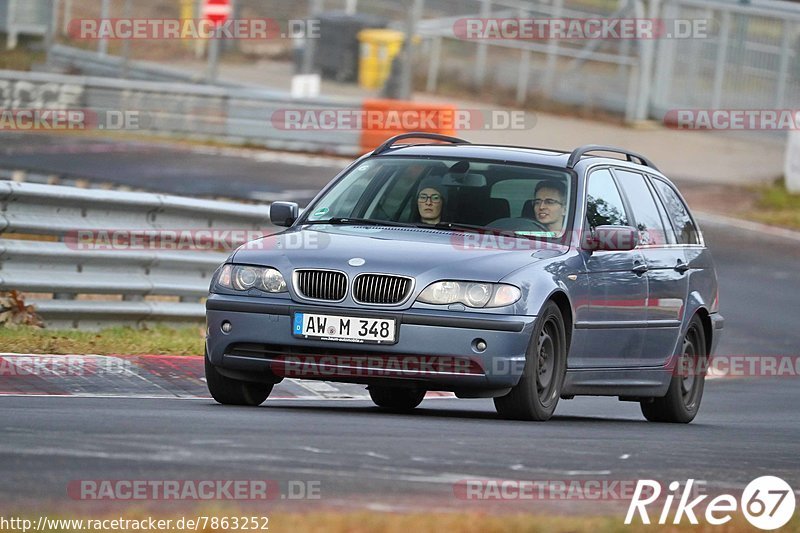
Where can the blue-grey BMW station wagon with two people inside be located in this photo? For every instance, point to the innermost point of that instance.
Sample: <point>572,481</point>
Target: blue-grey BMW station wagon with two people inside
<point>525,275</point>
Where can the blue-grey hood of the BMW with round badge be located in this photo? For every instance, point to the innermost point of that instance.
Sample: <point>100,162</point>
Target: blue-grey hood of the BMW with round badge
<point>405,251</point>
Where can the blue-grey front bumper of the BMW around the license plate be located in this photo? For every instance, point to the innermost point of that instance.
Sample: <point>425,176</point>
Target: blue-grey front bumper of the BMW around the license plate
<point>435,349</point>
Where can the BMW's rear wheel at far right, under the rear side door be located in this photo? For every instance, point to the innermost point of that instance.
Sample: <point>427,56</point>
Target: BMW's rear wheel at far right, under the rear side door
<point>685,392</point>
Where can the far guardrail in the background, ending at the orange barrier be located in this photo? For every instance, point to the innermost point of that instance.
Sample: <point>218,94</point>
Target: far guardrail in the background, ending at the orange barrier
<point>235,115</point>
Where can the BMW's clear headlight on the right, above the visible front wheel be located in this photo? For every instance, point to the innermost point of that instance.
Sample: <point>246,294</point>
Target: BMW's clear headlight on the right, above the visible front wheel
<point>471,294</point>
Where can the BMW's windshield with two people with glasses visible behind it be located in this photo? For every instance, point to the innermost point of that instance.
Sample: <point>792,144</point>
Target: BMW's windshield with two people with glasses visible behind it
<point>450,193</point>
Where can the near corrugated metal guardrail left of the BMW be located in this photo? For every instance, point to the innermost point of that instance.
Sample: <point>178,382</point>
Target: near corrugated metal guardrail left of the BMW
<point>42,251</point>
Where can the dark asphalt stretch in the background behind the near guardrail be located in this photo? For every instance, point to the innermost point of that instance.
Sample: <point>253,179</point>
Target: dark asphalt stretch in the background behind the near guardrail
<point>182,169</point>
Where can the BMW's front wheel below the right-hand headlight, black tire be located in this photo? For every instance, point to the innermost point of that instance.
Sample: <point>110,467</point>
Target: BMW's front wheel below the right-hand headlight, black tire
<point>536,395</point>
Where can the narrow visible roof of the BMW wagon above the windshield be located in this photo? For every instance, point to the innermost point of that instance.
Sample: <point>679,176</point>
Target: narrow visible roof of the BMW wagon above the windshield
<point>510,154</point>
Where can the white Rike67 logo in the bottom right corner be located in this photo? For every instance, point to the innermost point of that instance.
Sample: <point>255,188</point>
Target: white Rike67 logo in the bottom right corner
<point>767,503</point>
